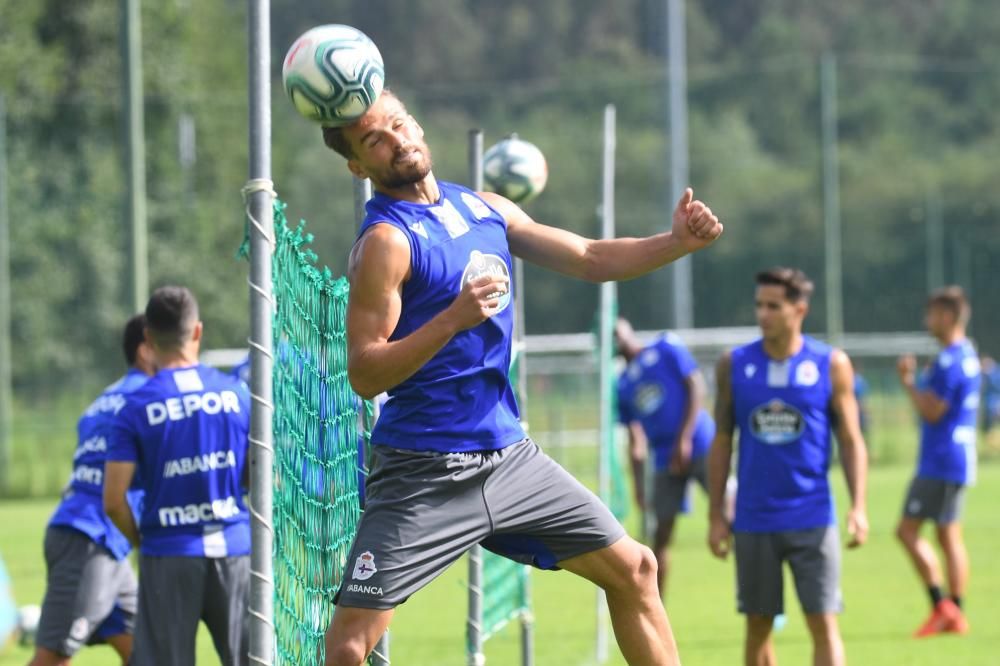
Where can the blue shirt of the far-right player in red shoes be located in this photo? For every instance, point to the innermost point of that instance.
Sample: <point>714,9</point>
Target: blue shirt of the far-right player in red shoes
<point>948,447</point>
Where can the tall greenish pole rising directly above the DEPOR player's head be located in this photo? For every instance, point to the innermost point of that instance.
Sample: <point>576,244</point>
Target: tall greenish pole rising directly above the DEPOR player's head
<point>135,151</point>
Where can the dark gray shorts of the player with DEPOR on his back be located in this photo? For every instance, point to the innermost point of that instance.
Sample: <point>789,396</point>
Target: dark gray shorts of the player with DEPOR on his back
<point>176,594</point>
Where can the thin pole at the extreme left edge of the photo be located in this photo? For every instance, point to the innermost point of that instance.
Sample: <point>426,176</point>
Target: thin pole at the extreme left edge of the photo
<point>6,384</point>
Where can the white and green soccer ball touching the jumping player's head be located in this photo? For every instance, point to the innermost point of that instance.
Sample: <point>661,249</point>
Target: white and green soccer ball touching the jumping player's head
<point>332,74</point>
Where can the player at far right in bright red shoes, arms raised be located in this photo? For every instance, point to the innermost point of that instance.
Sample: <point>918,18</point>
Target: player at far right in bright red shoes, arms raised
<point>946,396</point>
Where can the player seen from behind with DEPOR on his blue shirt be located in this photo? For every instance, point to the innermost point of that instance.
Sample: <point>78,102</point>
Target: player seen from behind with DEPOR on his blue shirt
<point>183,435</point>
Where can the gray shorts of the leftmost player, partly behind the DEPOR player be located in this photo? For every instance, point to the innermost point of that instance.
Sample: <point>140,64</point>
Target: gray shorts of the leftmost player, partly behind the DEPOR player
<point>89,595</point>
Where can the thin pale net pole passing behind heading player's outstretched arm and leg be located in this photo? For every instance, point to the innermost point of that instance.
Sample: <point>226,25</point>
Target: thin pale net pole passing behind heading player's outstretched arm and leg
<point>606,331</point>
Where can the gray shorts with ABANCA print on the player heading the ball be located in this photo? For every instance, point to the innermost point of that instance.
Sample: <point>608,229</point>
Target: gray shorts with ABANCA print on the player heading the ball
<point>425,509</point>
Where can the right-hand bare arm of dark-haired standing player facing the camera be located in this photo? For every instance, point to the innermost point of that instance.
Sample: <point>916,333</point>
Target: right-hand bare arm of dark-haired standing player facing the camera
<point>853,452</point>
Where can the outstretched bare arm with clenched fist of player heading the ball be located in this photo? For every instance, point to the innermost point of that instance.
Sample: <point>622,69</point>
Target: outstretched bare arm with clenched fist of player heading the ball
<point>694,227</point>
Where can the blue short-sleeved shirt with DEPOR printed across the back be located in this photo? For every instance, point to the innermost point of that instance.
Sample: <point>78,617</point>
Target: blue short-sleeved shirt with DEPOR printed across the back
<point>186,430</point>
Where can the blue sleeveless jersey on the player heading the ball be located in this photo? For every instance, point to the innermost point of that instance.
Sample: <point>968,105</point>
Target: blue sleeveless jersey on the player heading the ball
<point>460,400</point>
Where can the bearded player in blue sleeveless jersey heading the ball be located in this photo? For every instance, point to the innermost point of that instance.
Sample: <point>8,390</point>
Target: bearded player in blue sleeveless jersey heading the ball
<point>430,321</point>
